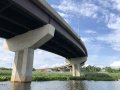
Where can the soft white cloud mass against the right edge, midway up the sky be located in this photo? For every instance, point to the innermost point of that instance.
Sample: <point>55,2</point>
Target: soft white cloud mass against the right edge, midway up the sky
<point>113,38</point>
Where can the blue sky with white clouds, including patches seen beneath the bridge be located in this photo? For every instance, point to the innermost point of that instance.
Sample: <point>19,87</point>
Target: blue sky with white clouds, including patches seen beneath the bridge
<point>97,22</point>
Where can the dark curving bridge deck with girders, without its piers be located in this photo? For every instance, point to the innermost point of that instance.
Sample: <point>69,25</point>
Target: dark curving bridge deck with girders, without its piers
<point>20,16</point>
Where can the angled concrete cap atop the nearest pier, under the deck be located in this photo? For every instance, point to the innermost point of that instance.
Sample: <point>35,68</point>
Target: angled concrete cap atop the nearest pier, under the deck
<point>31,39</point>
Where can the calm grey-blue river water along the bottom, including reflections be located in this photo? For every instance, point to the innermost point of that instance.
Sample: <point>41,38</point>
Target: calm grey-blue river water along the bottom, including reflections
<point>62,85</point>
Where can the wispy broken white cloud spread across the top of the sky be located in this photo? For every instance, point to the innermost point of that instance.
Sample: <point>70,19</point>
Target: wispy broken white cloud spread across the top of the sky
<point>100,11</point>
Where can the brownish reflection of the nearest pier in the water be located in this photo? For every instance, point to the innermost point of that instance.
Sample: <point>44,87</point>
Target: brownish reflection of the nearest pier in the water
<point>20,86</point>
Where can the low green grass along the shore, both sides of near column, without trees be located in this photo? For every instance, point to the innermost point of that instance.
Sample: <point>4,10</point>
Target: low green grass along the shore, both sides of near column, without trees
<point>45,76</point>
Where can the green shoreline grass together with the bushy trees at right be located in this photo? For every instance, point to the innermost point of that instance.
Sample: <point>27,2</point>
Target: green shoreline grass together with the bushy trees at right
<point>88,73</point>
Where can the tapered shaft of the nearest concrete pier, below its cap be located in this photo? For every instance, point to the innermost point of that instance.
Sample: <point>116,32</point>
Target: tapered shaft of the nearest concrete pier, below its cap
<point>22,66</point>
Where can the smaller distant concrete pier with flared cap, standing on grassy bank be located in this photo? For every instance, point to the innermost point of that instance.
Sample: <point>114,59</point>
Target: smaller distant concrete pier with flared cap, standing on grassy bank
<point>76,64</point>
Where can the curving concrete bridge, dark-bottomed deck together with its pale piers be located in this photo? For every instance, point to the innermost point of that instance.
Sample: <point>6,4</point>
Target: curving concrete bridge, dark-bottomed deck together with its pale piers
<point>30,24</point>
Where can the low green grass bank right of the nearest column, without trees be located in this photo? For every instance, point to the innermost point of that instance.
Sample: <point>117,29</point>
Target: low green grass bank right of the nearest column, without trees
<point>67,76</point>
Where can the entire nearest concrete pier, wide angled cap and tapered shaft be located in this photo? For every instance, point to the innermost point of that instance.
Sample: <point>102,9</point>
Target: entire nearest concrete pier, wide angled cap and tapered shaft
<point>23,45</point>
